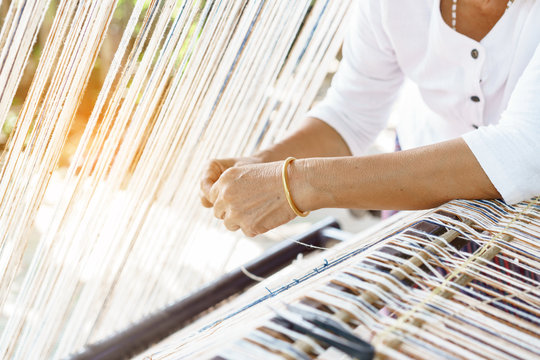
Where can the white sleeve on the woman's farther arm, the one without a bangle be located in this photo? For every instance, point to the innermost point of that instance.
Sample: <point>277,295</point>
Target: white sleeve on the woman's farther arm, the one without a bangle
<point>358,103</point>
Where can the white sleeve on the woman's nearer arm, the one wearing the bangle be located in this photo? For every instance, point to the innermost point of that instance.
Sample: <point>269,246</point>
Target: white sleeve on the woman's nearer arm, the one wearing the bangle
<point>509,152</point>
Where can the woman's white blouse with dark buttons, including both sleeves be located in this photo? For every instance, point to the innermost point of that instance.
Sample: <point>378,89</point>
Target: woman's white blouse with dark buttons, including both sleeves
<point>488,92</point>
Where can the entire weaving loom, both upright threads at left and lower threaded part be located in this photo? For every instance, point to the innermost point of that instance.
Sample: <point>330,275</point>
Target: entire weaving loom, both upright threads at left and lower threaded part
<point>191,80</point>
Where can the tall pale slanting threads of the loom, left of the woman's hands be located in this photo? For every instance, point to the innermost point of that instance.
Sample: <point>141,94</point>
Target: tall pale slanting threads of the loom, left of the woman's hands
<point>121,230</point>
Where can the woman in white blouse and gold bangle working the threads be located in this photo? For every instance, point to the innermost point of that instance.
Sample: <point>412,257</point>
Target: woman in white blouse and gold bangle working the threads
<point>473,135</point>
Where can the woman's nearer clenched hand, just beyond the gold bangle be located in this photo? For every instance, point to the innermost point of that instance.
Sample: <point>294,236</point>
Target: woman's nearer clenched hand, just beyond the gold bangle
<point>251,198</point>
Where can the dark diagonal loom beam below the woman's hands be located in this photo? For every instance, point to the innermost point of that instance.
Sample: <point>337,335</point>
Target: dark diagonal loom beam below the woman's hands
<point>171,319</point>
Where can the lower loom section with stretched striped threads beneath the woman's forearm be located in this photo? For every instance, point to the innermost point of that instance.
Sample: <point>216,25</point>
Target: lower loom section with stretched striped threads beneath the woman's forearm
<point>414,288</point>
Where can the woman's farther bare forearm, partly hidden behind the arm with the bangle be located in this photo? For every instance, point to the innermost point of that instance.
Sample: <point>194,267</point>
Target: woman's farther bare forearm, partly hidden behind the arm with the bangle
<point>314,138</point>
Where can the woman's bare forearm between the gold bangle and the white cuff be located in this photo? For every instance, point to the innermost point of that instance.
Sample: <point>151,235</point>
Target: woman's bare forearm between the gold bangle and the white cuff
<point>416,179</point>
